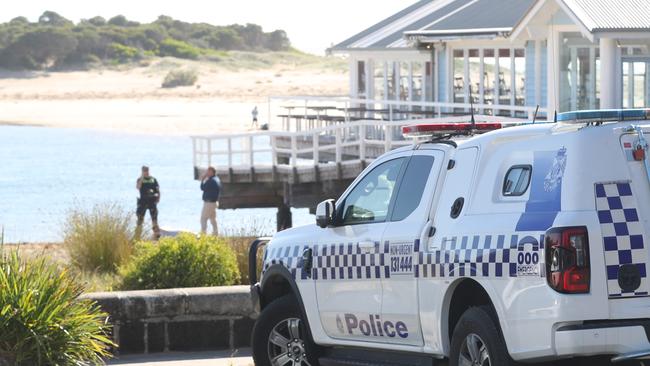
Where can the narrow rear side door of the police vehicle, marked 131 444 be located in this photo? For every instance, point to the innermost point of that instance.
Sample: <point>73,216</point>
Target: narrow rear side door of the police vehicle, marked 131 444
<point>408,226</point>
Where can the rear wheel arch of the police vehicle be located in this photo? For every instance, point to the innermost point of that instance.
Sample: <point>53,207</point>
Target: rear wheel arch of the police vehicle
<point>460,296</point>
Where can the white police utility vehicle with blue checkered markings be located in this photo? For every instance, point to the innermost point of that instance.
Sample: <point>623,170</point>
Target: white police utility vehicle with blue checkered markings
<point>525,243</point>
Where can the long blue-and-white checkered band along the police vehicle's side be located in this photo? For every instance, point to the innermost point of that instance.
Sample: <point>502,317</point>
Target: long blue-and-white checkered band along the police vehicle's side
<point>460,256</point>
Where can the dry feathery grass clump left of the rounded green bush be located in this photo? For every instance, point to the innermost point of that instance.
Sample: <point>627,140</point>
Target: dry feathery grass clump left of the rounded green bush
<point>100,238</point>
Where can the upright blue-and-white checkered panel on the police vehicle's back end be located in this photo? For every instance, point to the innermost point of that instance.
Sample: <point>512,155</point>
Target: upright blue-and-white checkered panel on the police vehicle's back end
<point>622,232</point>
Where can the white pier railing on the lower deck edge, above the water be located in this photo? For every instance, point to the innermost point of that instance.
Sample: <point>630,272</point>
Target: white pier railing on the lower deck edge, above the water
<point>331,144</point>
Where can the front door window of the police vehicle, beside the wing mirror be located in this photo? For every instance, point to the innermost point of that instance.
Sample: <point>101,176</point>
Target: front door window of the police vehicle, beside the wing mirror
<point>369,200</point>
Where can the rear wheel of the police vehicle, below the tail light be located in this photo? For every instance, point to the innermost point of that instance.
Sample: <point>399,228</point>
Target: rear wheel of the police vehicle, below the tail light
<point>477,341</point>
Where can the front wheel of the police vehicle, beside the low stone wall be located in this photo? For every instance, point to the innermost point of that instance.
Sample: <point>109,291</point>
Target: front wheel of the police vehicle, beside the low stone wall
<point>280,336</point>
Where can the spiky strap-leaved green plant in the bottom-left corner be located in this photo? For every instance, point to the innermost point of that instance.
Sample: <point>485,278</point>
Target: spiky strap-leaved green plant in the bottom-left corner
<point>42,320</point>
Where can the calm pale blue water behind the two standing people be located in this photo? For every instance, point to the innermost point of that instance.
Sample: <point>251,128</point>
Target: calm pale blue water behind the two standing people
<point>46,171</point>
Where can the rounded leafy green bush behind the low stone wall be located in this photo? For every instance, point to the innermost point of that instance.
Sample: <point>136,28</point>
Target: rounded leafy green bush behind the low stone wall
<point>182,261</point>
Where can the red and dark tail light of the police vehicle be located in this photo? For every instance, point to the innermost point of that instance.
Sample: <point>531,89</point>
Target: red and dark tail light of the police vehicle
<point>567,259</point>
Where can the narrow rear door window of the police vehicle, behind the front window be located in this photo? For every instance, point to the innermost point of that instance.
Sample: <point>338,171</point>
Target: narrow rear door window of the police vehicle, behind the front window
<point>412,186</point>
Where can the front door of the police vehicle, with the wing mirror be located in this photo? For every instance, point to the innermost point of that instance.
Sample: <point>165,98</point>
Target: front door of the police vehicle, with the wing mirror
<point>349,262</point>
